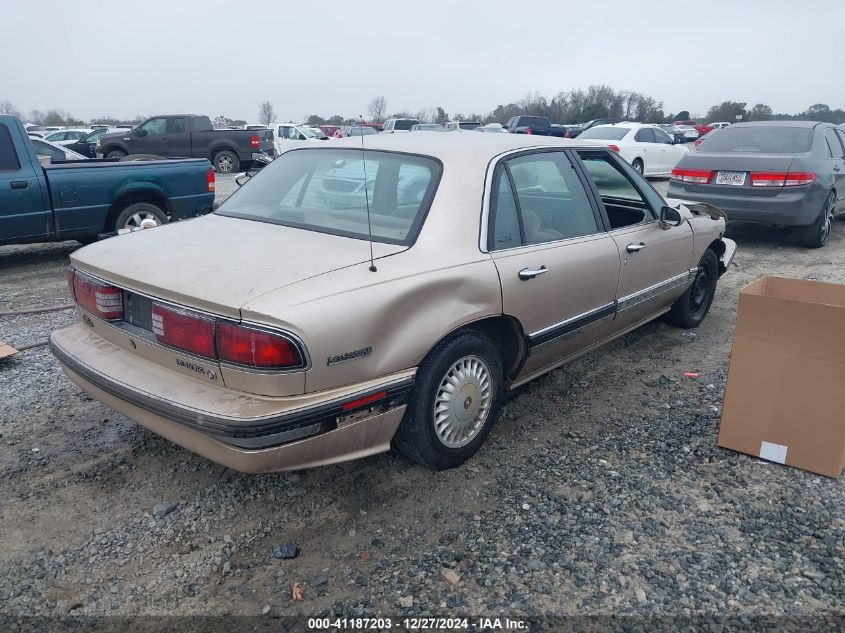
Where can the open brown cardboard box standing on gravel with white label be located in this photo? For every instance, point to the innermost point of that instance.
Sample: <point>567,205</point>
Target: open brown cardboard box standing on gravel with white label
<point>785,397</point>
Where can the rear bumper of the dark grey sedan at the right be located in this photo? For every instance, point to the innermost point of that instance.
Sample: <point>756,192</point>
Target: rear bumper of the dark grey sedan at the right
<point>799,207</point>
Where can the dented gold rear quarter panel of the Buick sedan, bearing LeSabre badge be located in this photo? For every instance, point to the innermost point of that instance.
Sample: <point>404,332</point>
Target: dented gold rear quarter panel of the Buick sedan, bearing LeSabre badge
<point>400,312</point>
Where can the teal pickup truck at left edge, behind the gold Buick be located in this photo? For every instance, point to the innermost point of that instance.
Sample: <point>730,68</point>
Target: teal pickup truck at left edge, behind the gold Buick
<point>84,199</point>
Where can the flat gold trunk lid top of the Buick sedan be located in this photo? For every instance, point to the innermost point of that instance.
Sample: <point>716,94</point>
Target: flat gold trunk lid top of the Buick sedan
<point>217,264</point>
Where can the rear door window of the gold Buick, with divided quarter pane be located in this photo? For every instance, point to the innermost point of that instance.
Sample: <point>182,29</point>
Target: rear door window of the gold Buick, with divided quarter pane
<point>549,204</point>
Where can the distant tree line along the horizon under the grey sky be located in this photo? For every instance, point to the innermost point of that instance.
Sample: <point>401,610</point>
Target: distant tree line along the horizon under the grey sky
<point>575,106</point>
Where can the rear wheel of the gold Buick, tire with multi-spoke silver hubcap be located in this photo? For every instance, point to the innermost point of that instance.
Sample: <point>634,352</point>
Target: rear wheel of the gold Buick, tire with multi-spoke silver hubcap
<point>470,363</point>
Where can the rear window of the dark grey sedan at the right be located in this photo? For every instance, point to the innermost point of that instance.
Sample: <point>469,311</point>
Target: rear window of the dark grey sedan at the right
<point>766,140</point>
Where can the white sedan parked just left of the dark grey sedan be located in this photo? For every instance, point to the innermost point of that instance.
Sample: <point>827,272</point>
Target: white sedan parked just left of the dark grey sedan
<point>650,150</point>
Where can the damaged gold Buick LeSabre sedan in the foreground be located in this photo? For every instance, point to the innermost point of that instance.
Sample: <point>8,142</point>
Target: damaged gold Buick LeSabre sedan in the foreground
<point>354,296</point>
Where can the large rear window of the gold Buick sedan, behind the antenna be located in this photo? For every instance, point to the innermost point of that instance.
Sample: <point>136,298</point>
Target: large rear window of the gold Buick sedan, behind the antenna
<point>337,191</point>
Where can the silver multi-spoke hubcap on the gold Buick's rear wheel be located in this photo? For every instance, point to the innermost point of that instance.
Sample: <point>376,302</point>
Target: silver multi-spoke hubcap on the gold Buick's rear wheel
<point>462,403</point>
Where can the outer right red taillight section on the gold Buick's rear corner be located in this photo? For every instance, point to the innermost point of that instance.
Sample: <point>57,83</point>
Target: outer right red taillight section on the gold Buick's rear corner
<point>255,348</point>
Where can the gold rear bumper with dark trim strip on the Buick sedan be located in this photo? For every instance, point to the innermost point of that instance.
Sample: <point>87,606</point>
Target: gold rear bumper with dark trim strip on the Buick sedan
<point>297,432</point>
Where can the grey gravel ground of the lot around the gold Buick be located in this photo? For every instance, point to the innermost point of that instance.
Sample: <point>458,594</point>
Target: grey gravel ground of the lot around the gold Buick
<point>601,491</point>
